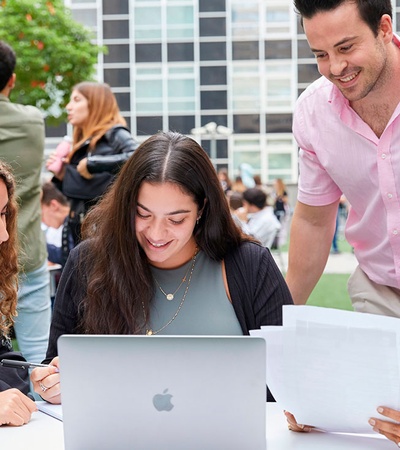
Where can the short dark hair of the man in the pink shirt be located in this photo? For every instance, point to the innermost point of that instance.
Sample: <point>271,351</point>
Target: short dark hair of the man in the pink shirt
<point>371,11</point>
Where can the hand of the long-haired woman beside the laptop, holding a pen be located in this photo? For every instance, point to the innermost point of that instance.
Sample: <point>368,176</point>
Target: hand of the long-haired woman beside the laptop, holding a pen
<point>46,382</point>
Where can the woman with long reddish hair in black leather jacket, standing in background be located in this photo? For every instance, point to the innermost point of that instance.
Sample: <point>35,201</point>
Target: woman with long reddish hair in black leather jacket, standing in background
<point>101,145</point>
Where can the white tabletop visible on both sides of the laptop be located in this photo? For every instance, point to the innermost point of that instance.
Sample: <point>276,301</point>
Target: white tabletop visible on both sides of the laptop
<point>46,433</point>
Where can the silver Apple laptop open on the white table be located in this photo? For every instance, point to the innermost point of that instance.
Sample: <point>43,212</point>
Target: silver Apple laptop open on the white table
<point>163,392</point>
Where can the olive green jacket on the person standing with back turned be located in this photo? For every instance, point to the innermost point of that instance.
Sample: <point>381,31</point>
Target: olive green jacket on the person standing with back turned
<point>22,147</point>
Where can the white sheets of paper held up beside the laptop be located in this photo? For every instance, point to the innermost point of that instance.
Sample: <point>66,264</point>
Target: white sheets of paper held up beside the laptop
<point>329,373</point>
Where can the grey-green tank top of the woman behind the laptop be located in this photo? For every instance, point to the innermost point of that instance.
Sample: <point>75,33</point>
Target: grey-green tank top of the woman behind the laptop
<point>206,309</point>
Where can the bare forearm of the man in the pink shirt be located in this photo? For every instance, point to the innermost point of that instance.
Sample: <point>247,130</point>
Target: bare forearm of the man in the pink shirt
<point>311,236</point>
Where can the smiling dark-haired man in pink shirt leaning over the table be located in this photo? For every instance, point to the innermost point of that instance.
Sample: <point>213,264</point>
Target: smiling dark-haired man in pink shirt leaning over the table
<point>347,125</point>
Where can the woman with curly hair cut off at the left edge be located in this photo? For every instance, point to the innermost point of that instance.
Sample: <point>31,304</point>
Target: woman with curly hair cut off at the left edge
<point>15,405</point>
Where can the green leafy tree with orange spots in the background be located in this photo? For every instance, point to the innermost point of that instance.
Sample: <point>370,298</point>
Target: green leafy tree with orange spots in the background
<point>54,52</point>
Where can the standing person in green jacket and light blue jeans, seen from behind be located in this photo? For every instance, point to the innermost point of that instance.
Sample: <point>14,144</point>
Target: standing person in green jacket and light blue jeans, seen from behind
<point>22,147</point>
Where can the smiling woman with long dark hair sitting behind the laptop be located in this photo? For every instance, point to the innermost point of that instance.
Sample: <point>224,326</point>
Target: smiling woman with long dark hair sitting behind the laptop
<point>163,243</point>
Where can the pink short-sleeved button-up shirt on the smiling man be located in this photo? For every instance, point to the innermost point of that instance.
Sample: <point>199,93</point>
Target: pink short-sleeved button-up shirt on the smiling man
<point>339,153</point>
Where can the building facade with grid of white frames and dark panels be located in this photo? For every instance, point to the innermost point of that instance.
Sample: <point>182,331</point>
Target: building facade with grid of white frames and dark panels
<point>182,64</point>
